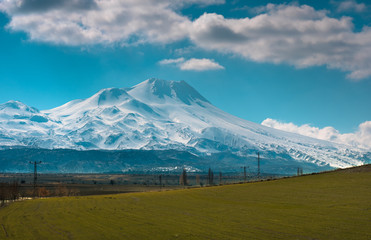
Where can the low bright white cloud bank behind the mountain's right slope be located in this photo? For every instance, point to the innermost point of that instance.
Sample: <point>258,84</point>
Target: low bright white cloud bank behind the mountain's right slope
<point>361,138</point>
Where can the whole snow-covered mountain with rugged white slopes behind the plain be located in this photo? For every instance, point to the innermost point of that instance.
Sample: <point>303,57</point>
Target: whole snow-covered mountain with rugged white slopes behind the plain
<point>162,115</point>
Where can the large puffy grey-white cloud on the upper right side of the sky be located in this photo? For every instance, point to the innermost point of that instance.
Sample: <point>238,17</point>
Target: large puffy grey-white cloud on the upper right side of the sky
<point>297,35</point>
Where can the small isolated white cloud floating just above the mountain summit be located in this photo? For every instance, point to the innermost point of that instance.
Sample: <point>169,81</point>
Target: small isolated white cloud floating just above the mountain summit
<point>193,64</point>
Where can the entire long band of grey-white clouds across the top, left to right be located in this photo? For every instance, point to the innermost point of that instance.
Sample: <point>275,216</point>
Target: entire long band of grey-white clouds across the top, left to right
<point>298,35</point>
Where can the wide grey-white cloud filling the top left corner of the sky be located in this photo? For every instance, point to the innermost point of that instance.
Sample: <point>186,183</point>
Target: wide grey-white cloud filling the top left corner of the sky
<point>79,22</point>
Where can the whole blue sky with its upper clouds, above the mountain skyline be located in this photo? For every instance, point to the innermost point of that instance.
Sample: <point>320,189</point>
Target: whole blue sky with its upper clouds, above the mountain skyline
<point>305,62</point>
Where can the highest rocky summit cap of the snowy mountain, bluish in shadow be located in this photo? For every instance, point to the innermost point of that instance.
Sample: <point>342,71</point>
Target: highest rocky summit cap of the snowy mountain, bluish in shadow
<point>159,89</point>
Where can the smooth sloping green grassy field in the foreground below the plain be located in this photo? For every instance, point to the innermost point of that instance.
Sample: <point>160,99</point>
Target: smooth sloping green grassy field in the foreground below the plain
<point>334,205</point>
